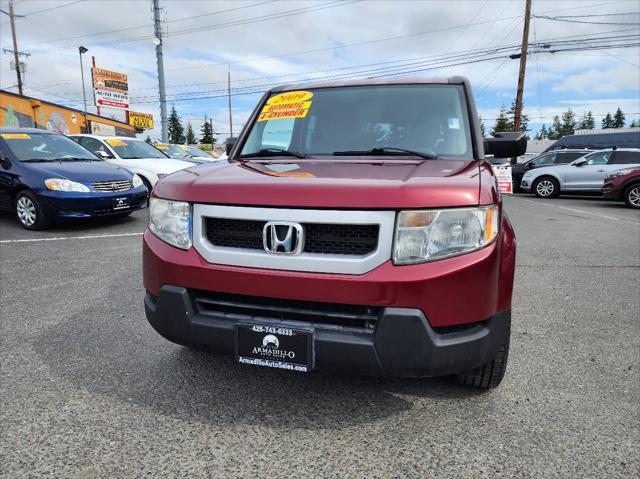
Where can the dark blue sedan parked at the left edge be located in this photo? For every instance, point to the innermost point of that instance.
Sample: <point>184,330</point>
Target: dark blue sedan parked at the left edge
<point>46,177</point>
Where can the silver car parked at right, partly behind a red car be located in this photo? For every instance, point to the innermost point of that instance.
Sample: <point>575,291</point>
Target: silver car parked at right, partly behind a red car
<point>586,174</point>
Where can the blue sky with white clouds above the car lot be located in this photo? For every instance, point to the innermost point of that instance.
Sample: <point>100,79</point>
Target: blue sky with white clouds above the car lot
<point>272,42</point>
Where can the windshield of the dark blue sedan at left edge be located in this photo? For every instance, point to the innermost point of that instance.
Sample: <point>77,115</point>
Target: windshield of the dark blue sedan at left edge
<point>46,147</point>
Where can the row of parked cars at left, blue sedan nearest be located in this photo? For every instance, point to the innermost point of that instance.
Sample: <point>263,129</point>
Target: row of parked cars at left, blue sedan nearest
<point>47,177</point>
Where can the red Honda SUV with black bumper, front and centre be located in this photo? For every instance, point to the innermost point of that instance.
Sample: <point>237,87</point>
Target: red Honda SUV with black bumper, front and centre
<point>354,228</point>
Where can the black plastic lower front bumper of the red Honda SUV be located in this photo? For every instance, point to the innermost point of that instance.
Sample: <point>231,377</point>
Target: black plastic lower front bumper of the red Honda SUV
<point>402,343</point>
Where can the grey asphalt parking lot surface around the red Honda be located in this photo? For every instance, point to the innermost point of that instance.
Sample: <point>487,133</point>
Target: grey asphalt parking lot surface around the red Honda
<point>90,390</point>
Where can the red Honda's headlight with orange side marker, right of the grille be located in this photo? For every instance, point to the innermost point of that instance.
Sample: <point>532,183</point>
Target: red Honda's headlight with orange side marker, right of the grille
<point>428,235</point>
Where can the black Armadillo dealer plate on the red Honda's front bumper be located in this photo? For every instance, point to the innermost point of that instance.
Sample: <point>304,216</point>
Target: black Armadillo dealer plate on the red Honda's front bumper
<point>274,347</point>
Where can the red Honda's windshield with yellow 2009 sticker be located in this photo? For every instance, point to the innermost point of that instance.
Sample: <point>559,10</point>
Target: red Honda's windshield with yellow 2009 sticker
<point>430,119</point>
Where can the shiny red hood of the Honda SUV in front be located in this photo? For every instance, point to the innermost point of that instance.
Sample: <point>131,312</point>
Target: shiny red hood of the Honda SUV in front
<point>335,183</point>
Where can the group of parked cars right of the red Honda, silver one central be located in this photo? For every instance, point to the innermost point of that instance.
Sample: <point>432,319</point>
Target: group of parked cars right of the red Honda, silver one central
<point>615,173</point>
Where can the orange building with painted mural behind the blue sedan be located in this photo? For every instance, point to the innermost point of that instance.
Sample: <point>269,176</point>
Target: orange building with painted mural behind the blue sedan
<point>23,111</point>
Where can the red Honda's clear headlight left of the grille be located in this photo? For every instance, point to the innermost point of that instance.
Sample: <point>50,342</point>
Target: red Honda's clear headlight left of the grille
<point>171,222</point>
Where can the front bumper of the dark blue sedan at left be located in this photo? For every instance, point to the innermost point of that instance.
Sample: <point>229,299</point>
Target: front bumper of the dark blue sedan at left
<point>58,205</point>
